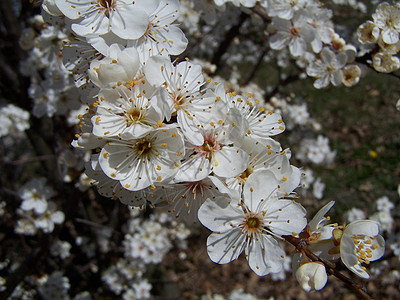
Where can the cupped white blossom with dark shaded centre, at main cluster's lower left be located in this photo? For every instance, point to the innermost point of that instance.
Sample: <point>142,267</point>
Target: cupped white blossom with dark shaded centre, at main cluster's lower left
<point>141,162</point>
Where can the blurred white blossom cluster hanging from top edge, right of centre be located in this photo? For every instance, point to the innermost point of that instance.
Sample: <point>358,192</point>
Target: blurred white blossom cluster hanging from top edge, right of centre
<point>305,28</point>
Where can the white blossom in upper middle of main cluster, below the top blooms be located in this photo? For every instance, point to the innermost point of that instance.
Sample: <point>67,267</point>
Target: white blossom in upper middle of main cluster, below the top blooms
<point>185,99</point>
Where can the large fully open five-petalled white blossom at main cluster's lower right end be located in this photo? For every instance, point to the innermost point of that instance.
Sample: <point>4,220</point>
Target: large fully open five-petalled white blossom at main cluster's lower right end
<point>250,225</point>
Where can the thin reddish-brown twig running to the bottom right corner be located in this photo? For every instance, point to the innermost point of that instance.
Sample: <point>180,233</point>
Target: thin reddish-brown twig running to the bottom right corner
<point>302,246</point>
